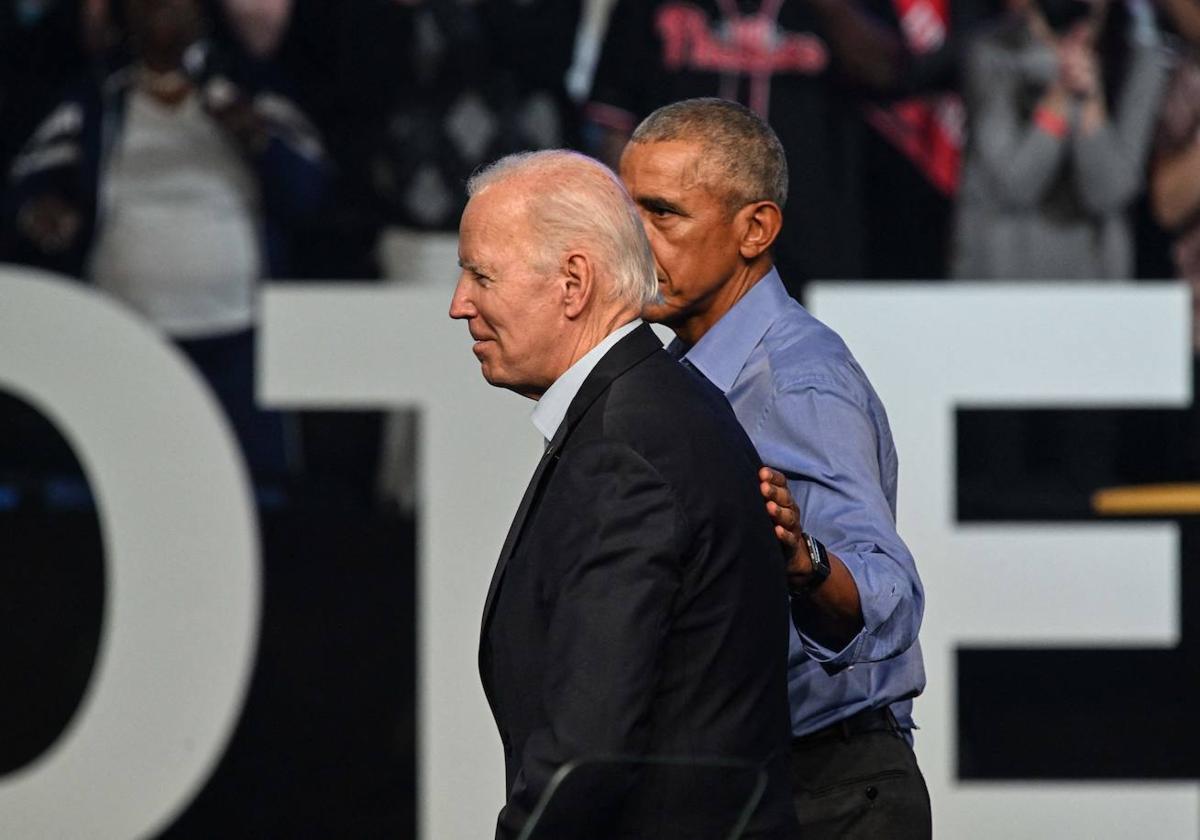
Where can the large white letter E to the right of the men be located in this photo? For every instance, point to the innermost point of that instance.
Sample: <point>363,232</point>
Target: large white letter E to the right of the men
<point>929,349</point>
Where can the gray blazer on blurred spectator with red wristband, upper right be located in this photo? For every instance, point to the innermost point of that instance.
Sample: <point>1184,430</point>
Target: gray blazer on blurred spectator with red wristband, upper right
<point>1033,206</point>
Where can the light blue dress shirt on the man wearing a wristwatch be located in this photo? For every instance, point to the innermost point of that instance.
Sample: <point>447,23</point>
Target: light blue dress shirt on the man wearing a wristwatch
<point>812,413</point>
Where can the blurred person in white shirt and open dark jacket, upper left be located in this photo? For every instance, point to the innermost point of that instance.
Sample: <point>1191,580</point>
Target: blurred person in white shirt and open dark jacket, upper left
<point>172,184</point>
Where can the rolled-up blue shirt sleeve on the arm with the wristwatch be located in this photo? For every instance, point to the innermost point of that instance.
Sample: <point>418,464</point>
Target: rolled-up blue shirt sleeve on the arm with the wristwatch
<point>821,435</point>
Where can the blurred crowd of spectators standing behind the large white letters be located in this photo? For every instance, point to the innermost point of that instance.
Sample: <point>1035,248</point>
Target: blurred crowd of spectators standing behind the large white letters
<point>176,153</point>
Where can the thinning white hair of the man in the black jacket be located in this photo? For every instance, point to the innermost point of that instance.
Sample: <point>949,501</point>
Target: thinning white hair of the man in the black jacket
<point>581,202</point>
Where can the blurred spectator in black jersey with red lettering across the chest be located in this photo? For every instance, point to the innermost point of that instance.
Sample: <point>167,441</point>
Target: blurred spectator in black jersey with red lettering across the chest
<point>806,67</point>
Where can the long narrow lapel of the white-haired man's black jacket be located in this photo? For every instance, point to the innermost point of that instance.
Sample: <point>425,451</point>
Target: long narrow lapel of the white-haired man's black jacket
<point>625,355</point>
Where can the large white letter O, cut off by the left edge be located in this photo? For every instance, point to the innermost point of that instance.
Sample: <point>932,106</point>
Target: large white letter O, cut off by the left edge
<point>182,565</point>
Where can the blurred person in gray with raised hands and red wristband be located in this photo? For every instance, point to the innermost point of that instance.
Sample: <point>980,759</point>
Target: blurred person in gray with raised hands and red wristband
<point>1061,104</point>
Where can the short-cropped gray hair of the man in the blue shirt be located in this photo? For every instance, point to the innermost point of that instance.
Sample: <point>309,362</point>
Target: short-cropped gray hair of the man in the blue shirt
<point>746,151</point>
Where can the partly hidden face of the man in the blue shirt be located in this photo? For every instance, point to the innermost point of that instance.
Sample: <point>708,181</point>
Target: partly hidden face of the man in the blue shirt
<point>692,230</point>
